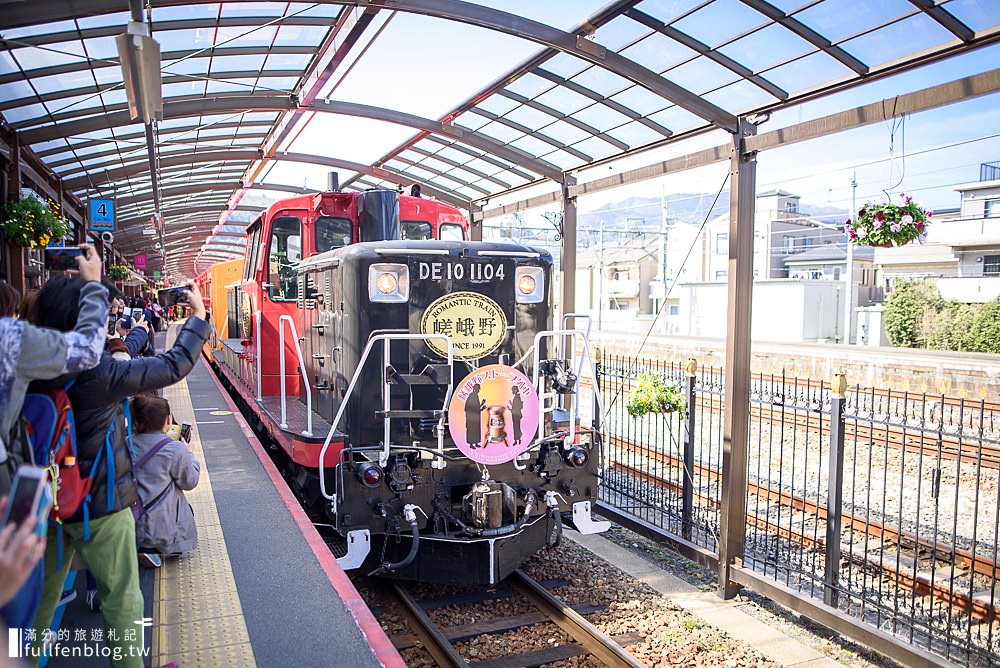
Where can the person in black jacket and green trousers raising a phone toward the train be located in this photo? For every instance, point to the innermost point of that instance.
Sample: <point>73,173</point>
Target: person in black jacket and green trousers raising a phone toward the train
<point>107,540</point>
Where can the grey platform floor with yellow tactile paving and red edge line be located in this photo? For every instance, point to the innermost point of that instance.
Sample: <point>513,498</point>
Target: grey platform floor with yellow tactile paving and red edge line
<point>262,588</point>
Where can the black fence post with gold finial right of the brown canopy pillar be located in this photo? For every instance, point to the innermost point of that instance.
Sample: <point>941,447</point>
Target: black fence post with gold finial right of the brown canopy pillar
<point>835,489</point>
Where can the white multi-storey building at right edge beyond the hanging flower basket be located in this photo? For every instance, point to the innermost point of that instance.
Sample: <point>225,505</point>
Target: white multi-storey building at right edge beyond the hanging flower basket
<point>962,252</point>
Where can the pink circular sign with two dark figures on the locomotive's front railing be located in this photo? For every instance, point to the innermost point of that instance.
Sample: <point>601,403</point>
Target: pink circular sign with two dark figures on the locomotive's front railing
<point>493,416</point>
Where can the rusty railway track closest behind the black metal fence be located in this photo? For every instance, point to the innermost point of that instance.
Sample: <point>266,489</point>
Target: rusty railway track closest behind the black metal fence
<point>895,553</point>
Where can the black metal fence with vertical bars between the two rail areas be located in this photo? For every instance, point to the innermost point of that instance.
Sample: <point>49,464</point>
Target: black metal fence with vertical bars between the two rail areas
<point>879,504</point>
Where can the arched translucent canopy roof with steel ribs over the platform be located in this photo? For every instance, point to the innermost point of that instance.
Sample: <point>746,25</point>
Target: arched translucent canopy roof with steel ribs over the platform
<point>469,99</point>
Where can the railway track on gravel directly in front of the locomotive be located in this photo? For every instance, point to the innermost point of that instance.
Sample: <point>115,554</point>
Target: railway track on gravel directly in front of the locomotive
<point>440,642</point>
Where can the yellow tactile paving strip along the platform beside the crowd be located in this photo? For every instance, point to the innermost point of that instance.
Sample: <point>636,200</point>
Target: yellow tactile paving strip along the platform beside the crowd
<point>197,616</point>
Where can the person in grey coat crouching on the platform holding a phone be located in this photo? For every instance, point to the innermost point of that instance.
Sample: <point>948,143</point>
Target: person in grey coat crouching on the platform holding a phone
<point>164,470</point>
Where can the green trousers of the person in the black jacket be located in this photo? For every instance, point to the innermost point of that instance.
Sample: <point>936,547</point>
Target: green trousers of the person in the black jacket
<point>110,555</point>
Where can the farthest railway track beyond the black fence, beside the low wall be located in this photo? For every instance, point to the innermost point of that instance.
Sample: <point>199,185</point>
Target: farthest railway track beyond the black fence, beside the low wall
<point>922,441</point>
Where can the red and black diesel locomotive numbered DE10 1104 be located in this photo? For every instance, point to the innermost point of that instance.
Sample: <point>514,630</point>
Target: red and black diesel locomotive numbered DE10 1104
<point>415,383</point>
